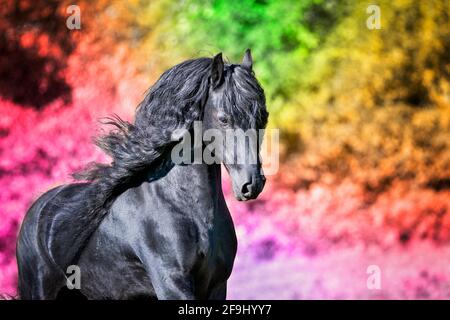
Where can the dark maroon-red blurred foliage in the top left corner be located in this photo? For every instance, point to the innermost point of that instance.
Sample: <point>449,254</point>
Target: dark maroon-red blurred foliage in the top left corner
<point>33,52</point>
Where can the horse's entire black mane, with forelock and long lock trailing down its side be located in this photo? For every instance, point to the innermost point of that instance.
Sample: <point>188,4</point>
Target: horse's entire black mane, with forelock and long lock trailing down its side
<point>175,101</point>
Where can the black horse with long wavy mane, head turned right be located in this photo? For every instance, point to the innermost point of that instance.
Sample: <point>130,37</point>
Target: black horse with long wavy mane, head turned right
<point>144,226</point>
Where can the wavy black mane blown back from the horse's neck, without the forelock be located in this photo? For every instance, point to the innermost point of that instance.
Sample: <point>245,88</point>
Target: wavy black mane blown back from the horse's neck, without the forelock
<point>174,102</point>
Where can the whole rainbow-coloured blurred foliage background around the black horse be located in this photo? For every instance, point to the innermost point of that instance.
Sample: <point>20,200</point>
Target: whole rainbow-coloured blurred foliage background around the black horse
<point>364,118</point>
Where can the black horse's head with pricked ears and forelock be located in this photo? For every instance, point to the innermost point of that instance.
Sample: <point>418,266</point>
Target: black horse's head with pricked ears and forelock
<point>236,111</point>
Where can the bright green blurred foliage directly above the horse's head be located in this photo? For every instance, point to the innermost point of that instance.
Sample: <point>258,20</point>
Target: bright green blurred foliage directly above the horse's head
<point>276,31</point>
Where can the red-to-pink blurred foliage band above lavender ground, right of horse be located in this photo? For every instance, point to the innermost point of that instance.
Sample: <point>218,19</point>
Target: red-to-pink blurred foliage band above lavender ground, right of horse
<point>324,217</point>
